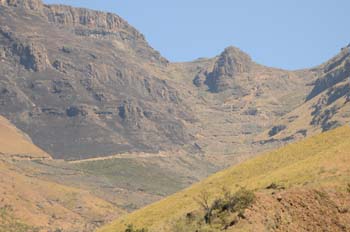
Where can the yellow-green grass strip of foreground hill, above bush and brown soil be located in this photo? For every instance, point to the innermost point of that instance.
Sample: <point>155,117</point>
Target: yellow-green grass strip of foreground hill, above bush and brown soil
<point>319,161</point>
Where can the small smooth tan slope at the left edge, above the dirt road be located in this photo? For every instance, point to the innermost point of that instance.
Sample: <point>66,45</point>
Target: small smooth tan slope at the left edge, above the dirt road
<point>14,142</point>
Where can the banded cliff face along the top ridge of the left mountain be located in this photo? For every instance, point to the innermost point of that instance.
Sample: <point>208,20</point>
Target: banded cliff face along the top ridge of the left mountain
<point>95,24</point>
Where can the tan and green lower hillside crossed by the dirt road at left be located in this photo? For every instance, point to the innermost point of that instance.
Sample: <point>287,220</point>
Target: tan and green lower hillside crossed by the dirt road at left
<point>39,193</point>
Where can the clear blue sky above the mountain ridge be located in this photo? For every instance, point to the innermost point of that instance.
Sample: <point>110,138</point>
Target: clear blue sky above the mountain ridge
<point>288,34</point>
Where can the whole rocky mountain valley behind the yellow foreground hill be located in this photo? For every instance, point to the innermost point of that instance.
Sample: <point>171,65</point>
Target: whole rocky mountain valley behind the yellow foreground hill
<point>91,111</point>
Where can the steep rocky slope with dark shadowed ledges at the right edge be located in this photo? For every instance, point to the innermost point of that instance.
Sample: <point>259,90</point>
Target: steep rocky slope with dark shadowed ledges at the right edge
<point>326,106</point>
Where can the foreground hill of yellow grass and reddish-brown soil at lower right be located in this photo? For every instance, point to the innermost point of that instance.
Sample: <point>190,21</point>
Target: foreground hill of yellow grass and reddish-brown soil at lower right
<point>300,187</point>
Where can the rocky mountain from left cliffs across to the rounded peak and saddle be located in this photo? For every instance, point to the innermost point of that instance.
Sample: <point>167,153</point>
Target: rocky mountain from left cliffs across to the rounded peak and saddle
<point>84,84</point>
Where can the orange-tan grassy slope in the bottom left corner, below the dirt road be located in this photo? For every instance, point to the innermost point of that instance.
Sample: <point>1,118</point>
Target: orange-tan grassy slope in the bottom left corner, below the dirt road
<point>47,205</point>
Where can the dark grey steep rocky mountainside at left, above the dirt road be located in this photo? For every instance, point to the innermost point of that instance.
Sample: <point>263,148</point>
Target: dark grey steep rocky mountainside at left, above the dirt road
<point>75,81</point>
